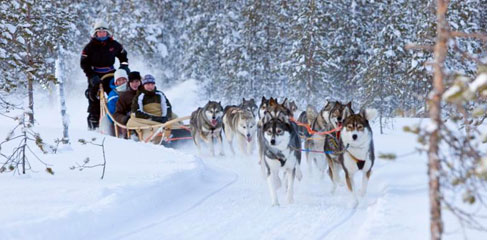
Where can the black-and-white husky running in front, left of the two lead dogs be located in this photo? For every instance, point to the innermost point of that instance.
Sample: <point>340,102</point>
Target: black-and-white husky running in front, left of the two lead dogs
<point>281,152</point>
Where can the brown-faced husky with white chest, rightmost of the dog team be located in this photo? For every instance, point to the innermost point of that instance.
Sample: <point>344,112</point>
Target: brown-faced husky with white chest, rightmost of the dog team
<point>359,154</point>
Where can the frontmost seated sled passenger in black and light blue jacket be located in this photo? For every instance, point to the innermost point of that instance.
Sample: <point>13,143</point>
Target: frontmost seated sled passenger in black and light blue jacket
<point>149,107</point>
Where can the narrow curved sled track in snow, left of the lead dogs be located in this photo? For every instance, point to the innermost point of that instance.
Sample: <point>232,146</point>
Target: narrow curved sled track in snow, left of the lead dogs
<point>193,206</point>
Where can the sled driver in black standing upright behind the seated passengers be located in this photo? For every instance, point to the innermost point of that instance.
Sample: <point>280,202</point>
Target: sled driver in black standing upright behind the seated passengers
<point>97,59</point>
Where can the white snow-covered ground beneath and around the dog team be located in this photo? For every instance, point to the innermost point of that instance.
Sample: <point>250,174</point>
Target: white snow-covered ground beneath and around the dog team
<point>152,192</point>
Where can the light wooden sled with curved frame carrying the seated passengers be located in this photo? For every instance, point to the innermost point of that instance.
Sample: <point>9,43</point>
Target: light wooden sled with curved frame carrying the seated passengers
<point>169,132</point>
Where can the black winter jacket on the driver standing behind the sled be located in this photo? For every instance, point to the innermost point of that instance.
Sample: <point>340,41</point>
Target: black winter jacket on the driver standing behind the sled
<point>98,57</point>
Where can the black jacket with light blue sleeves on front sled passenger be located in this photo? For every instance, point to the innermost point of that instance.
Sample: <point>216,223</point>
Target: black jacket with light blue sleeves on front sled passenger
<point>151,104</point>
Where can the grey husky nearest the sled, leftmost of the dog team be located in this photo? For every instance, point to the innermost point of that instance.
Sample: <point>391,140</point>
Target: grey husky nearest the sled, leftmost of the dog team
<point>206,124</point>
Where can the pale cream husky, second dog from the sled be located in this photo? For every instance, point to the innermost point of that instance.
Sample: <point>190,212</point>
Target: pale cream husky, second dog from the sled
<point>240,123</point>
